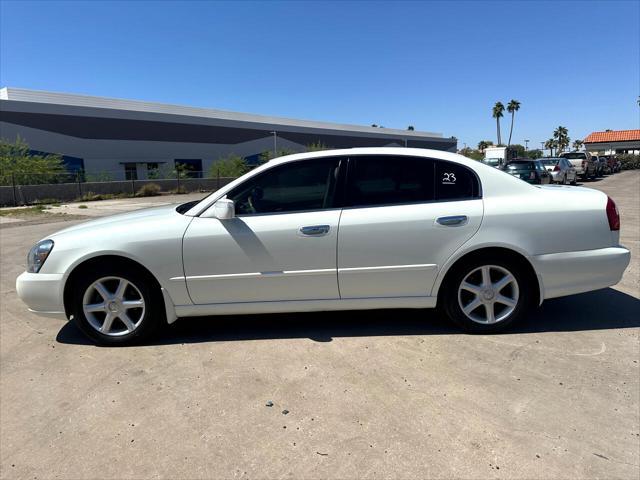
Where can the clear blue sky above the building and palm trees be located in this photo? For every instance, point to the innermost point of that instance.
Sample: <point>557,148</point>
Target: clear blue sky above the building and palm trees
<point>439,66</point>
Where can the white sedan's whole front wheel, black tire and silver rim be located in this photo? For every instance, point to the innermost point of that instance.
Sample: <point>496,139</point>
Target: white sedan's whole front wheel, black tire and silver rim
<point>114,306</point>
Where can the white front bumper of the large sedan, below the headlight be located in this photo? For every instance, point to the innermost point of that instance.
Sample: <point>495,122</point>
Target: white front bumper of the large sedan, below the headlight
<point>42,293</point>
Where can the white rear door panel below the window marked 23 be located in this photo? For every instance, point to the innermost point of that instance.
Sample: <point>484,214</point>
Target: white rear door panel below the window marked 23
<point>396,251</point>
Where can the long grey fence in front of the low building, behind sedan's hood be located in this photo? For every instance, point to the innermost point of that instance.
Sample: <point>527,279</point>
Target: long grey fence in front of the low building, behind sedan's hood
<point>27,188</point>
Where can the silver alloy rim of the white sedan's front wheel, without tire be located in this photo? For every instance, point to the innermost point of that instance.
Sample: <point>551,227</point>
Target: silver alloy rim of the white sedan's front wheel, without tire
<point>113,306</point>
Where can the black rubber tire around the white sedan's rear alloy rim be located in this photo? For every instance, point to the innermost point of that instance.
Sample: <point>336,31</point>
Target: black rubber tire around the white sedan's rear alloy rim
<point>450,298</point>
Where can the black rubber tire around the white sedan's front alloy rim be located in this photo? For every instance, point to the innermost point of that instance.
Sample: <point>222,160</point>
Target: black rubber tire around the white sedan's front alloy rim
<point>151,315</point>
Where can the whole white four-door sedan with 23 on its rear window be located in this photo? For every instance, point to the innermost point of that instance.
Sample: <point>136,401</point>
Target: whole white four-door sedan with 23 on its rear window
<point>364,228</point>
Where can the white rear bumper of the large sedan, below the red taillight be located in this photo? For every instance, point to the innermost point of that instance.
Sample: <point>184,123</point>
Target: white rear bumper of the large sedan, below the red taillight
<point>568,273</point>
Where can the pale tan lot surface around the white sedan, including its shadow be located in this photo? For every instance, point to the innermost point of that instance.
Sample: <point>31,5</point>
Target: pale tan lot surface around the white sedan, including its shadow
<point>369,394</point>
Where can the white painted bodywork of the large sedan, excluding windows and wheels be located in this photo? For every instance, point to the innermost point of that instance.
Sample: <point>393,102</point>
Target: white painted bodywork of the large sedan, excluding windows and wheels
<point>377,257</point>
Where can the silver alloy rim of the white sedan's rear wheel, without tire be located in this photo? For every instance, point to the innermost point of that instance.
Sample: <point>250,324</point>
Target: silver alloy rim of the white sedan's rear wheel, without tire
<point>488,294</point>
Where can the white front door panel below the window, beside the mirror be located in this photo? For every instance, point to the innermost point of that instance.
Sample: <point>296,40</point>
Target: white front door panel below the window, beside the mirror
<point>261,258</point>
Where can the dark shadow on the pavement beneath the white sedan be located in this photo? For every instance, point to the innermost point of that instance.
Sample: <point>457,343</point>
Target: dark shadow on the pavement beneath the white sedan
<point>599,310</point>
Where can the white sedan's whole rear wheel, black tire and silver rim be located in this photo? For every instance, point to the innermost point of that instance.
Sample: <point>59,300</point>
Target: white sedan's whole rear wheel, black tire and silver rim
<point>487,295</point>
